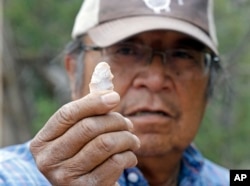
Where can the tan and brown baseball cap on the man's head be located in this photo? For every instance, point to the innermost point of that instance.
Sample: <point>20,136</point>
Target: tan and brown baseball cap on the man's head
<point>110,21</point>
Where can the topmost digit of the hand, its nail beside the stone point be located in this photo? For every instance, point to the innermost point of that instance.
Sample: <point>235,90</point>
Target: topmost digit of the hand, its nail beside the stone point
<point>71,113</point>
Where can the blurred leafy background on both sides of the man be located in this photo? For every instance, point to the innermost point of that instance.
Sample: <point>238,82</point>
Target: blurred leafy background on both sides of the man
<point>35,33</point>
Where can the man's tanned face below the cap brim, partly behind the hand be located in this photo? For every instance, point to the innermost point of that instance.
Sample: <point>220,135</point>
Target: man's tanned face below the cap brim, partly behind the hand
<point>165,106</point>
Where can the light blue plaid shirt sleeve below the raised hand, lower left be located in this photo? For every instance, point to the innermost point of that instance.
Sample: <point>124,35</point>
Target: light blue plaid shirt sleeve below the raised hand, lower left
<point>18,167</point>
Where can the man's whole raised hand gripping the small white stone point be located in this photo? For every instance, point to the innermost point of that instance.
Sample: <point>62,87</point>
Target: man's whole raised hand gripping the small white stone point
<point>84,143</point>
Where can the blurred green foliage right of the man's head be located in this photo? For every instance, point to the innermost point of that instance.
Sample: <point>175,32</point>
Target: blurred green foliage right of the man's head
<point>224,135</point>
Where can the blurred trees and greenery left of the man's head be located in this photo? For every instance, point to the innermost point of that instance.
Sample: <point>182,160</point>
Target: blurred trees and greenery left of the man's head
<point>35,32</point>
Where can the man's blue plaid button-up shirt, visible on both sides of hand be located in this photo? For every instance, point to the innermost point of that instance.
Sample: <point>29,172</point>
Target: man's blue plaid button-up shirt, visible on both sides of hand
<point>17,168</point>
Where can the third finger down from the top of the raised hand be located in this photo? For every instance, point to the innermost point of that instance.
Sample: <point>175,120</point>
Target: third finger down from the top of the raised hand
<point>104,147</point>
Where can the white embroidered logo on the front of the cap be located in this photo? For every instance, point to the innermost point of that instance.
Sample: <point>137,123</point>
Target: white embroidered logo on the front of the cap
<point>160,5</point>
